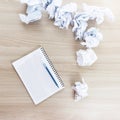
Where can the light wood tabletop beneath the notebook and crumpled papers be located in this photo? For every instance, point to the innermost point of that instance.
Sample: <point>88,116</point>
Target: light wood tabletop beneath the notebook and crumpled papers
<point>103,78</point>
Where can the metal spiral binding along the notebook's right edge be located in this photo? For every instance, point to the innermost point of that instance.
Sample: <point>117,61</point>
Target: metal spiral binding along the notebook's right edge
<point>50,63</point>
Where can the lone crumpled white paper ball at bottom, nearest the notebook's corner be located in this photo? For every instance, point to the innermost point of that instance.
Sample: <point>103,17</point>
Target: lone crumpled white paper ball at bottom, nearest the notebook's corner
<point>80,90</point>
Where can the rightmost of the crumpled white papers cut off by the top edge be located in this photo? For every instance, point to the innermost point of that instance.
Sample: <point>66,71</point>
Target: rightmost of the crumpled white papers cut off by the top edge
<point>52,8</point>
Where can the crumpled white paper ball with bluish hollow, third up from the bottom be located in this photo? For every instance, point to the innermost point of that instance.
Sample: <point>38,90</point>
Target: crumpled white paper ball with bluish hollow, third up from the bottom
<point>92,37</point>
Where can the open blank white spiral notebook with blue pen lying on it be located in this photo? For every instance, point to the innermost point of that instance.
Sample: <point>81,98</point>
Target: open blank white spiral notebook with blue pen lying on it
<point>38,75</point>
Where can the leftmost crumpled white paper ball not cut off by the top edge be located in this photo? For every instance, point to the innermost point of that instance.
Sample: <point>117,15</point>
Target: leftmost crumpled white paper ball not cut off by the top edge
<point>63,15</point>
